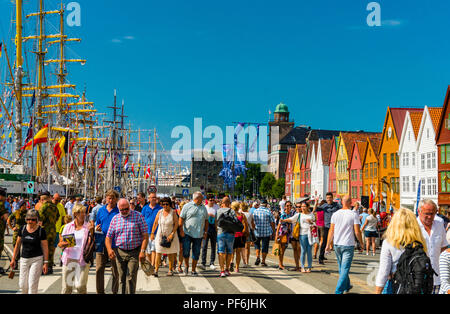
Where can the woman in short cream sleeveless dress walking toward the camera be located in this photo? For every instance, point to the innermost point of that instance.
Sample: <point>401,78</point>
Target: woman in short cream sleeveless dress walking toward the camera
<point>167,223</point>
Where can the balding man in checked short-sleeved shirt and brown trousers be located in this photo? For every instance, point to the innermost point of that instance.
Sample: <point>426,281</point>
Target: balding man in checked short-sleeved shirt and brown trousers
<point>128,231</point>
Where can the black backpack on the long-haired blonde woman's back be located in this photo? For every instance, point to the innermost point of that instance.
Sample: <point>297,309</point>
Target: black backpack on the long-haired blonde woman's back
<point>414,273</point>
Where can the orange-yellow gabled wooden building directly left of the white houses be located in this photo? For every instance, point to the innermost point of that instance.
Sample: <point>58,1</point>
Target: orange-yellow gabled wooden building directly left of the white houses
<point>389,168</point>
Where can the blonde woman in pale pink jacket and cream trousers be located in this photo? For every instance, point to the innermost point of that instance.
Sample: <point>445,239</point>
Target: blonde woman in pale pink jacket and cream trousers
<point>75,270</point>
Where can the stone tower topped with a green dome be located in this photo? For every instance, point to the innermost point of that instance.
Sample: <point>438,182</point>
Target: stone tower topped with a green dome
<point>279,127</point>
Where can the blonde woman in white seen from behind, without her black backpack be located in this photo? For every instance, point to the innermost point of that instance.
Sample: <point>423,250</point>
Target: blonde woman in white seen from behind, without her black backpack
<point>402,231</point>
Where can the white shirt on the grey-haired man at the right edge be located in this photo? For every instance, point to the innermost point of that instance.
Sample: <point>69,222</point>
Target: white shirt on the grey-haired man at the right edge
<point>435,242</point>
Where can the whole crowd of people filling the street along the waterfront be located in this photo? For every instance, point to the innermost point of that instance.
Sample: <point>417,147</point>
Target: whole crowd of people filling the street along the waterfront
<point>150,231</point>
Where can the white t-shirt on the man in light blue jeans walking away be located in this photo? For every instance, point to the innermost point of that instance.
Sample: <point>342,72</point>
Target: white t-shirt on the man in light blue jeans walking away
<point>344,221</point>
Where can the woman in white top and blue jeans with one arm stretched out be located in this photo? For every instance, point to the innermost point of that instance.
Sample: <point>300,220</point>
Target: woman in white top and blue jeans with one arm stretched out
<point>306,221</point>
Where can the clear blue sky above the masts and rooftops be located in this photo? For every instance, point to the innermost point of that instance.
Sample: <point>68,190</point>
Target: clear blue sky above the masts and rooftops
<point>228,61</point>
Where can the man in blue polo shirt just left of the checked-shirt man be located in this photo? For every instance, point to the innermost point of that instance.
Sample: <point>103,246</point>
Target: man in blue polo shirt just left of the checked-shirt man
<point>103,220</point>
